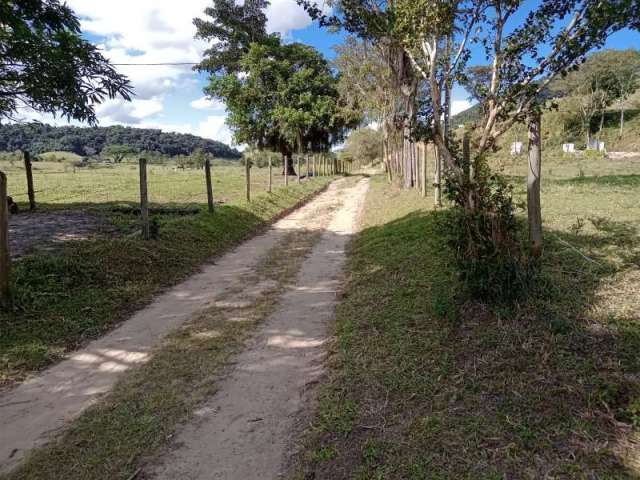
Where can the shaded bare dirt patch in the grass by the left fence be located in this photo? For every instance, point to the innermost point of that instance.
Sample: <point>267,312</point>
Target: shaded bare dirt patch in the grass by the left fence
<point>48,230</point>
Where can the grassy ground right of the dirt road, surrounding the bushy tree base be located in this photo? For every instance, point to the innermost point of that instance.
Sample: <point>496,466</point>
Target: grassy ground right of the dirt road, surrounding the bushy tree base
<point>426,385</point>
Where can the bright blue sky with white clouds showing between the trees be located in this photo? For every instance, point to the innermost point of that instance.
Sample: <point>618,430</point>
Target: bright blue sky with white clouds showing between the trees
<point>171,98</point>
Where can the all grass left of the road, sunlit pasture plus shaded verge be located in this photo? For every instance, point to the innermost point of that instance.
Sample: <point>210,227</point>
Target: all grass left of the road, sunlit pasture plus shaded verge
<point>69,295</point>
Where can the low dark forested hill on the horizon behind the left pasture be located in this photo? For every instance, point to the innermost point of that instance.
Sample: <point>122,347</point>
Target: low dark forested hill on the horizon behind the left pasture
<point>39,138</point>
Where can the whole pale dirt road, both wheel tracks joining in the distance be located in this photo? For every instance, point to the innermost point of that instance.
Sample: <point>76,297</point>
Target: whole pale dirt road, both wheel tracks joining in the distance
<point>244,430</point>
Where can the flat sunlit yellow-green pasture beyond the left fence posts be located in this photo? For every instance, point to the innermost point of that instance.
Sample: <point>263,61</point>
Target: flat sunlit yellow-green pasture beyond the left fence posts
<point>60,184</point>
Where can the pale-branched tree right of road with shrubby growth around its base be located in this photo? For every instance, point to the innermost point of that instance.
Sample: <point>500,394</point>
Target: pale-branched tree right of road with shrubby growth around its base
<point>527,45</point>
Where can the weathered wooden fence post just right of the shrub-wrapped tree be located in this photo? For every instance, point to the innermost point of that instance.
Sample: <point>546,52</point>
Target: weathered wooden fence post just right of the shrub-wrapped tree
<point>534,212</point>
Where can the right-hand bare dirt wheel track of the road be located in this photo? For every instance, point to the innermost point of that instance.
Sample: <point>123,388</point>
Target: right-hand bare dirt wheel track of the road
<point>246,429</point>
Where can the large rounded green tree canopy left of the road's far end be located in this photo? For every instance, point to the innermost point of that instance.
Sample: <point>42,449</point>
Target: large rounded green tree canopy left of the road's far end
<point>279,96</point>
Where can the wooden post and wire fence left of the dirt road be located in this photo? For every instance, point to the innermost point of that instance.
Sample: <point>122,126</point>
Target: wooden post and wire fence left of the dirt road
<point>159,184</point>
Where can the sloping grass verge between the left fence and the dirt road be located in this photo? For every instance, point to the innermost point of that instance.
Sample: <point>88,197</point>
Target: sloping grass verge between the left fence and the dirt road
<point>66,298</point>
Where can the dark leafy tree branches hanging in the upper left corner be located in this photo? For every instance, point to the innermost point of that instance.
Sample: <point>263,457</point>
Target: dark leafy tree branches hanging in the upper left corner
<point>47,66</point>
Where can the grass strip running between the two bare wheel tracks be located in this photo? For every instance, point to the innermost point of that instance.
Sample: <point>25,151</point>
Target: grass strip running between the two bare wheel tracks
<point>118,436</point>
